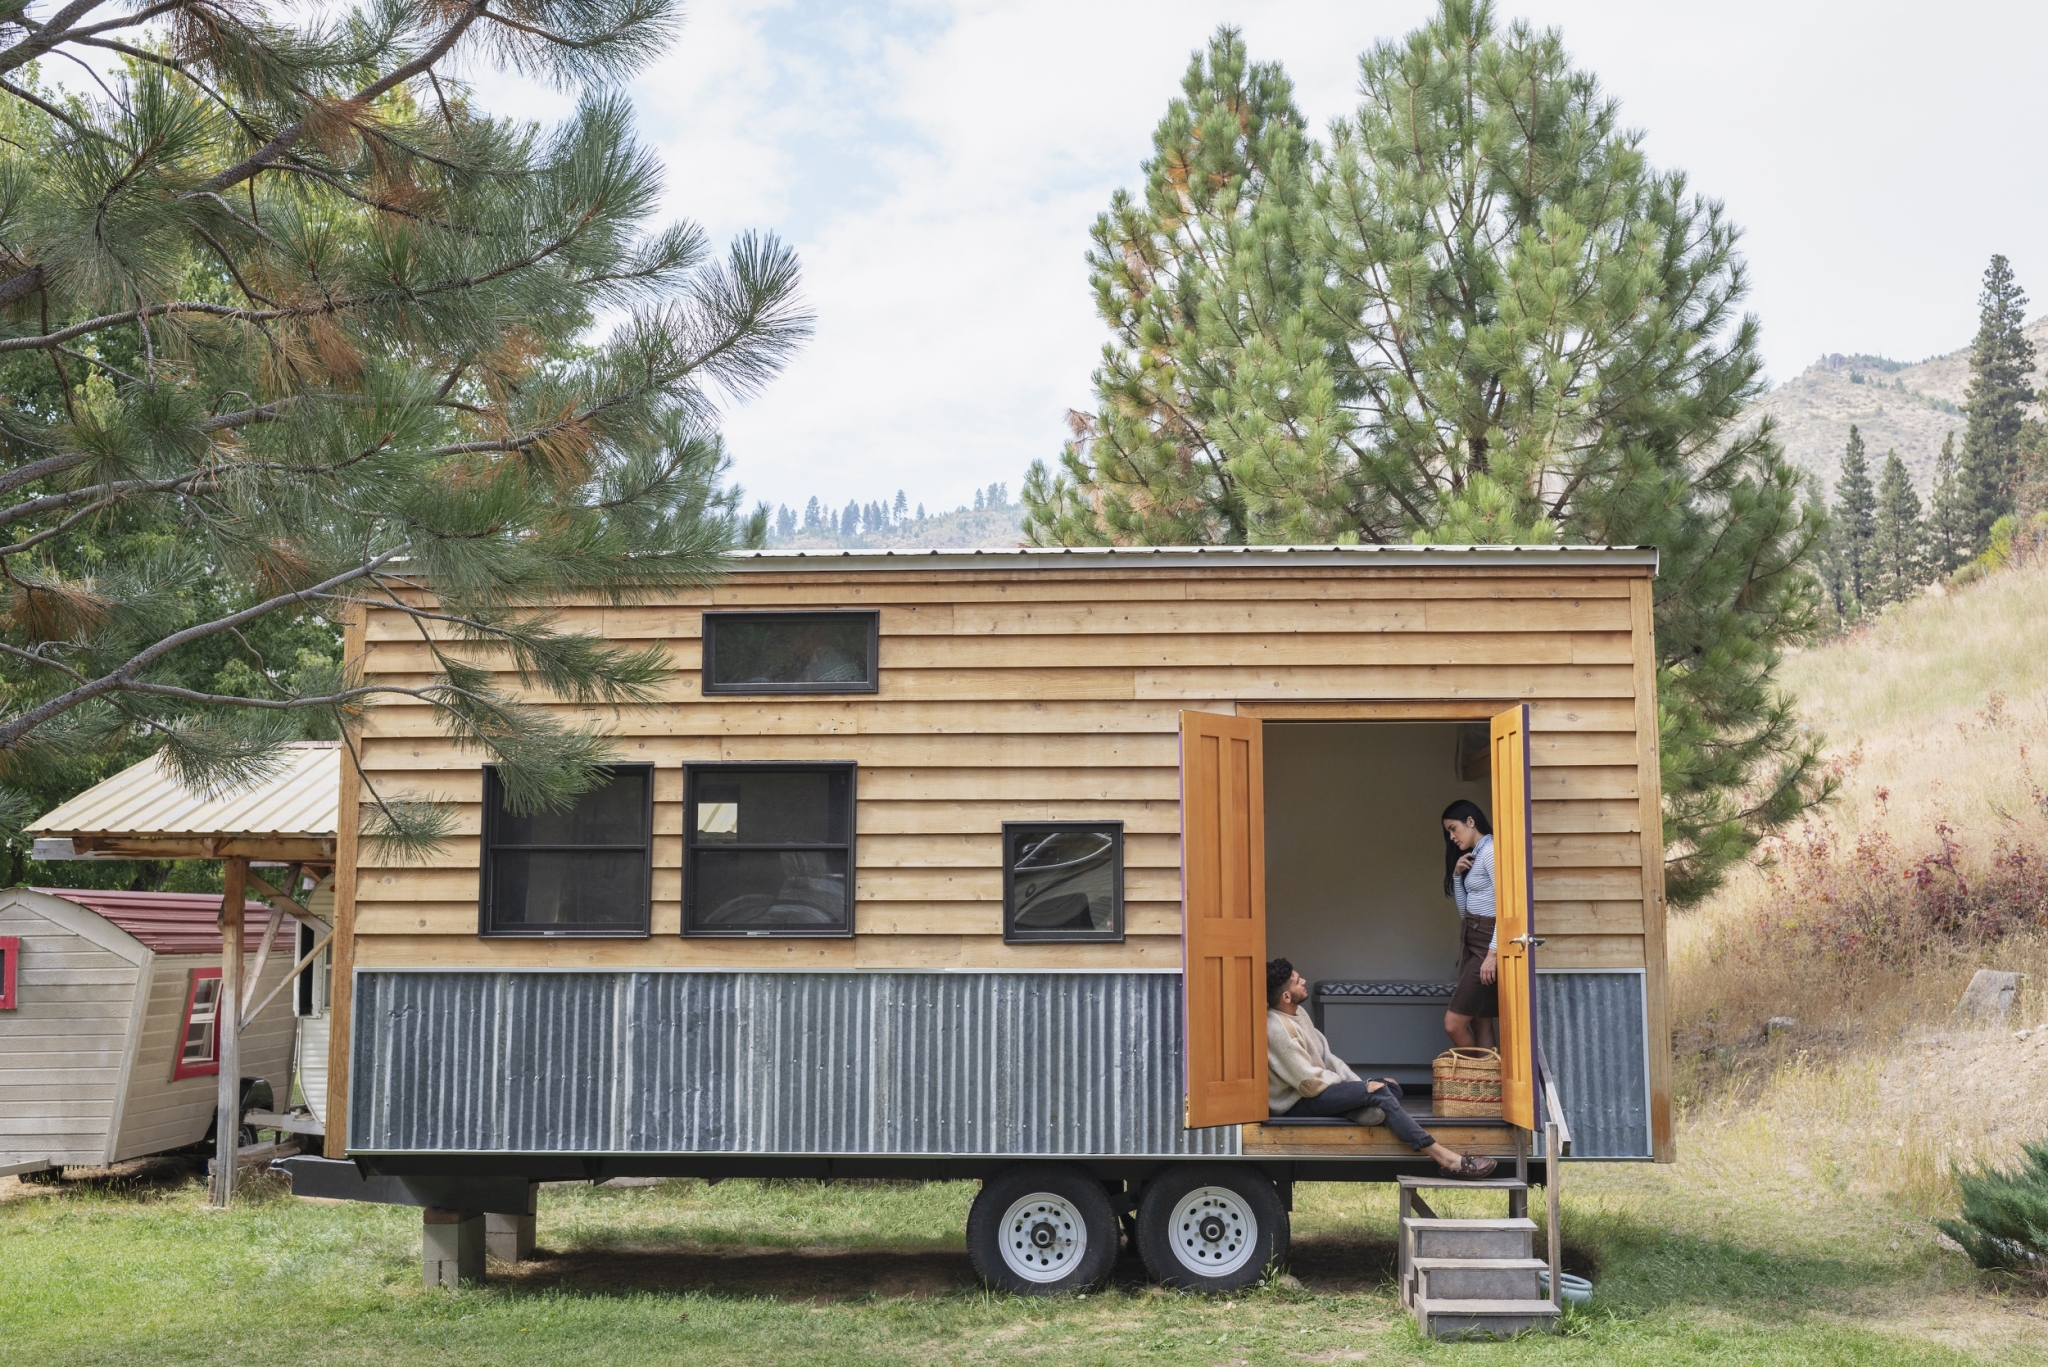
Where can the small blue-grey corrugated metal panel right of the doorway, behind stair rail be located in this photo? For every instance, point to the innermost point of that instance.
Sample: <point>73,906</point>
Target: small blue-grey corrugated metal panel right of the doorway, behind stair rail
<point>1592,1036</point>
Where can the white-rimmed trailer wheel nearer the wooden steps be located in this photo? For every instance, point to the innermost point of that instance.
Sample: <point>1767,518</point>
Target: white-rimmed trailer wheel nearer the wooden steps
<point>1211,1227</point>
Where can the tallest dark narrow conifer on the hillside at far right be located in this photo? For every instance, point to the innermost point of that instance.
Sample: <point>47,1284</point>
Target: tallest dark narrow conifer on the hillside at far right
<point>2002,378</point>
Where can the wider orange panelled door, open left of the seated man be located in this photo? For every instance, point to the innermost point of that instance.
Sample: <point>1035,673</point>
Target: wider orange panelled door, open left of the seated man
<point>1224,917</point>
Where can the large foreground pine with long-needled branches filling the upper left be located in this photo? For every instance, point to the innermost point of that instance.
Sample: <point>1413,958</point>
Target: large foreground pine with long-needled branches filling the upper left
<point>318,329</point>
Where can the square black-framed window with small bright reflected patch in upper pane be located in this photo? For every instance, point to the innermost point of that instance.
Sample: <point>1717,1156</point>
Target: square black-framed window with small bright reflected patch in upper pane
<point>769,850</point>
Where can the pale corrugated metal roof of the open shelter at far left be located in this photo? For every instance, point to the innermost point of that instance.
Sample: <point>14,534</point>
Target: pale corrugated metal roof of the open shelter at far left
<point>144,800</point>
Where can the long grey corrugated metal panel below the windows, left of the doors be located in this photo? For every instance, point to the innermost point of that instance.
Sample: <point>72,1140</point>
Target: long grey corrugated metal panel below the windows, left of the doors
<point>771,1065</point>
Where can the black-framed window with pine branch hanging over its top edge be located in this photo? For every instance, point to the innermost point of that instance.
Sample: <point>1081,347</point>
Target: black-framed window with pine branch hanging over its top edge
<point>587,870</point>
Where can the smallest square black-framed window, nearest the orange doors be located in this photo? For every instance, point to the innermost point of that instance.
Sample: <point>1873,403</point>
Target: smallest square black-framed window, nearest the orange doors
<point>1064,882</point>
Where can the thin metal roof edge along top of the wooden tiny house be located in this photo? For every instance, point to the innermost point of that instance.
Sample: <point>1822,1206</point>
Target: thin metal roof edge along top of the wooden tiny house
<point>1189,556</point>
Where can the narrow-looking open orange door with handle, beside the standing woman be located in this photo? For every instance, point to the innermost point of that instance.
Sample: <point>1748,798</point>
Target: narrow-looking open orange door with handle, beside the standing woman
<point>1512,862</point>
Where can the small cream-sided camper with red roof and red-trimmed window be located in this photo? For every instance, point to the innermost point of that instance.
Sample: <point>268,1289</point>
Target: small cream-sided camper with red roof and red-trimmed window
<point>110,1034</point>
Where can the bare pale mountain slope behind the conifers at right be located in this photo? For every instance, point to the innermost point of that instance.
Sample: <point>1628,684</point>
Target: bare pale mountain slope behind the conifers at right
<point>1906,407</point>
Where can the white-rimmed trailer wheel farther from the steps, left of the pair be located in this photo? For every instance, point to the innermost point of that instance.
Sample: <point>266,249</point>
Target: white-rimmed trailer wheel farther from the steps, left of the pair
<point>1041,1231</point>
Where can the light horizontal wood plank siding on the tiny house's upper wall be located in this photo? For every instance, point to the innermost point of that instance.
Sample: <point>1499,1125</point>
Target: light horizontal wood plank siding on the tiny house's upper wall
<point>1056,696</point>
